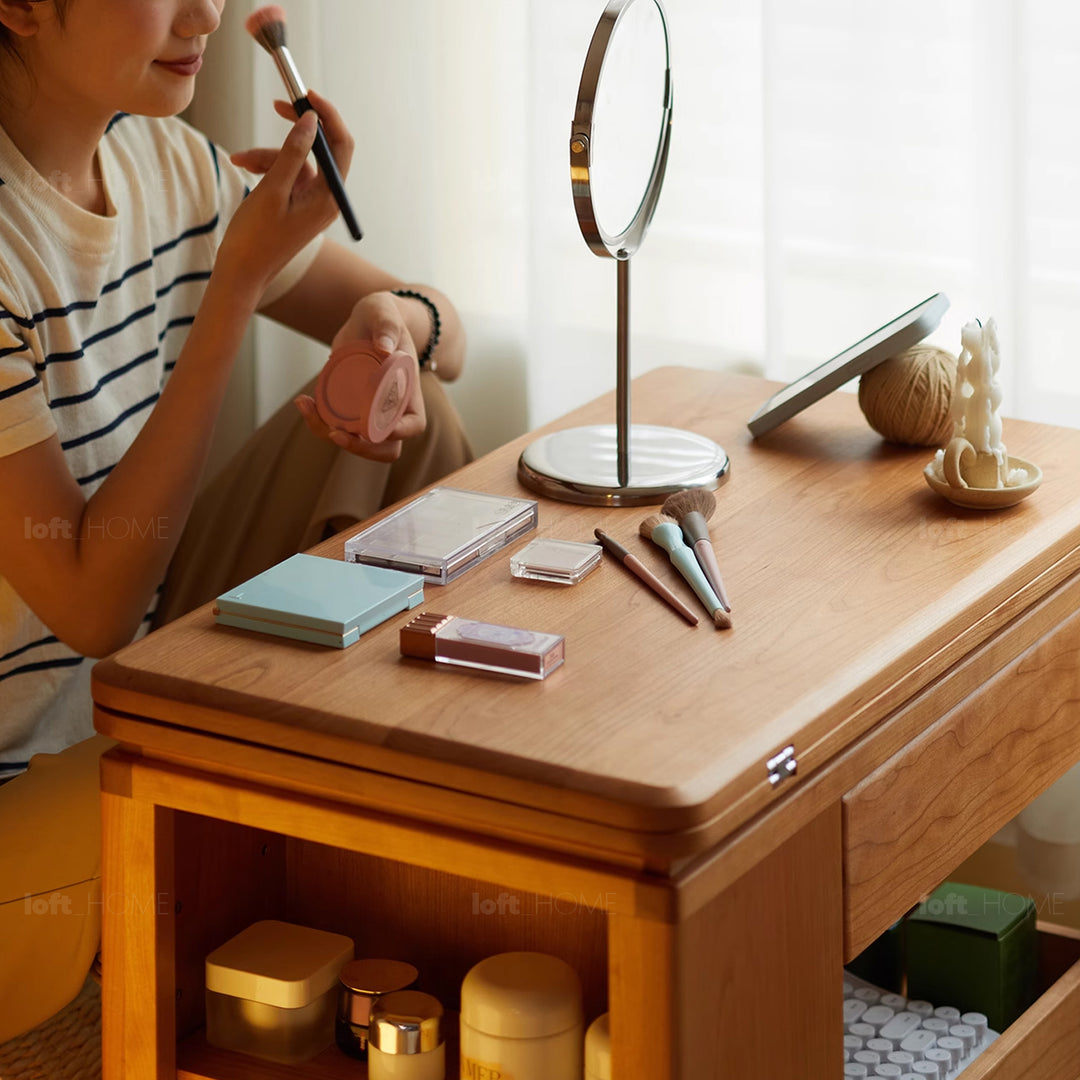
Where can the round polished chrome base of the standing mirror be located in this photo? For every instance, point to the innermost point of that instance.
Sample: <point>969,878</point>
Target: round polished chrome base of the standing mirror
<point>580,465</point>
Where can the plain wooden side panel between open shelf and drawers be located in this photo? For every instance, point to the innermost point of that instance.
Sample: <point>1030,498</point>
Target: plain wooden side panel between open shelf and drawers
<point>767,950</point>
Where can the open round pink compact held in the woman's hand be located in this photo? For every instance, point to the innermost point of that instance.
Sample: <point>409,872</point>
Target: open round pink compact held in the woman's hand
<point>362,393</point>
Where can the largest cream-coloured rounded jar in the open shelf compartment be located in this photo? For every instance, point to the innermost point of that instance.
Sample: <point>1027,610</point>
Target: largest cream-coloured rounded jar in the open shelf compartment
<point>521,1019</point>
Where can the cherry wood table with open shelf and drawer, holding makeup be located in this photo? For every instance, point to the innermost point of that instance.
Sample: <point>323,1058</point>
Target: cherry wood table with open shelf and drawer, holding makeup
<point>637,813</point>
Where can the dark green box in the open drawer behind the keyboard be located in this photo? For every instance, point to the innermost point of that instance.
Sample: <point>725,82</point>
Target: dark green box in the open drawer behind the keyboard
<point>975,949</point>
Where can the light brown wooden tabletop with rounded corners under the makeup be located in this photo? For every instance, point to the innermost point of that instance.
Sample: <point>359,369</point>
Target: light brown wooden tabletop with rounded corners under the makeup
<point>848,577</point>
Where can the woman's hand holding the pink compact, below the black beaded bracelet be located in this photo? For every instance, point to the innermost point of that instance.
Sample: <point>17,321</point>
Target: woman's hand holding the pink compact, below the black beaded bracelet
<point>377,319</point>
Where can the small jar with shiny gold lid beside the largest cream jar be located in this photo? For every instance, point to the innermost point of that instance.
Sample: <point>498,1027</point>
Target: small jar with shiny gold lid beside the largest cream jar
<point>406,1038</point>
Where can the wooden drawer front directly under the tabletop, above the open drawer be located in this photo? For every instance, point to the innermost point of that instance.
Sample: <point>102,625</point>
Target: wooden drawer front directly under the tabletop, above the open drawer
<point>912,821</point>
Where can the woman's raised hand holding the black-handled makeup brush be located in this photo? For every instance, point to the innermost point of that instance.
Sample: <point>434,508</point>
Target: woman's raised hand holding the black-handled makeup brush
<point>291,205</point>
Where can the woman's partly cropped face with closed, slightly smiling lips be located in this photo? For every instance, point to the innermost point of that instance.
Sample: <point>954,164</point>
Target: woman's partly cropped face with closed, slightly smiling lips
<point>109,57</point>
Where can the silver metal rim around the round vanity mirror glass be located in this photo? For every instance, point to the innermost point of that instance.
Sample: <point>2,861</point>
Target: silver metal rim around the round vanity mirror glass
<point>624,245</point>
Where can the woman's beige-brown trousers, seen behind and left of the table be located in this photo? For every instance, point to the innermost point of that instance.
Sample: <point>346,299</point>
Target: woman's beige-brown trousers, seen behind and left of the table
<point>283,492</point>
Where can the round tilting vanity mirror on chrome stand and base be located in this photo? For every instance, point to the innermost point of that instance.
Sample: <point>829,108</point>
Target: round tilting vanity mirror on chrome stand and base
<point>618,156</point>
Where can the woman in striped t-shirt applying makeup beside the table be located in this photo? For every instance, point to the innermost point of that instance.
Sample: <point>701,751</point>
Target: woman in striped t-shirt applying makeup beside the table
<point>132,259</point>
